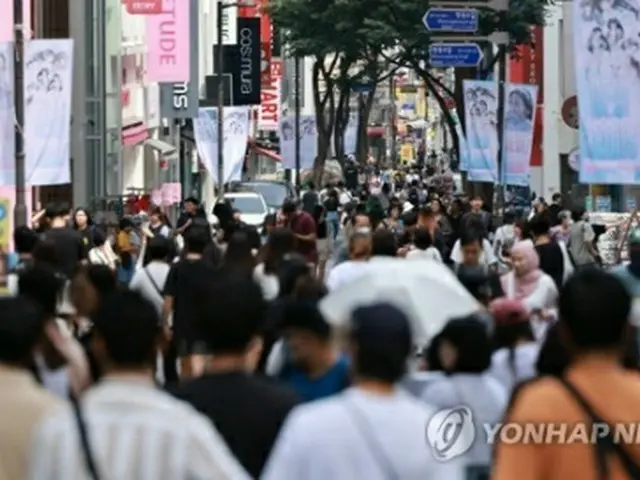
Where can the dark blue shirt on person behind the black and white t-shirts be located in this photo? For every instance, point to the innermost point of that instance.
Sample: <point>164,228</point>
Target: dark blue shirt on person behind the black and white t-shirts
<point>333,381</point>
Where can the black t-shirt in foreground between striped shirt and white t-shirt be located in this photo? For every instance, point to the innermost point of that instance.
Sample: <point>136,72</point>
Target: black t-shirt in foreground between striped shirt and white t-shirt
<point>247,410</point>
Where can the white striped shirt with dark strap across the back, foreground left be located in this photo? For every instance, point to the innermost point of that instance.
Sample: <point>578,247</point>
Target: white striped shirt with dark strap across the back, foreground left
<point>136,432</point>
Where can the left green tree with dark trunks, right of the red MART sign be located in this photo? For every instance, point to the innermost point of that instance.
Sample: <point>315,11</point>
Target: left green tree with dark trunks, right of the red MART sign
<point>344,48</point>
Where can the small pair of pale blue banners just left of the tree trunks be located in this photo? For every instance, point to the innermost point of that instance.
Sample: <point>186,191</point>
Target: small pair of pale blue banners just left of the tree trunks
<point>308,142</point>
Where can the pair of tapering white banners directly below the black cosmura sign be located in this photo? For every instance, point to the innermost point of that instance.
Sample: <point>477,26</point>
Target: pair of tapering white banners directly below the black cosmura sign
<point>236,133</point>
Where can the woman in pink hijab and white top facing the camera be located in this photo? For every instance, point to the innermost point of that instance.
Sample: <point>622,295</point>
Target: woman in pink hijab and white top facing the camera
<point>529,284</point>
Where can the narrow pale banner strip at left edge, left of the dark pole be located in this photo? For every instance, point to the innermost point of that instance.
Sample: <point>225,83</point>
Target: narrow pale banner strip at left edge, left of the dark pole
<point>7,137</point>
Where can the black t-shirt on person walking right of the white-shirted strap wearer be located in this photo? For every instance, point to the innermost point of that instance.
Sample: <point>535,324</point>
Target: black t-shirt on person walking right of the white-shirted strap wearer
<point>185,283</point>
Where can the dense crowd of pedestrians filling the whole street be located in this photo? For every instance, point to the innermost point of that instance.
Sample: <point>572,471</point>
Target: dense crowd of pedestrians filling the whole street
<point>154,351</point>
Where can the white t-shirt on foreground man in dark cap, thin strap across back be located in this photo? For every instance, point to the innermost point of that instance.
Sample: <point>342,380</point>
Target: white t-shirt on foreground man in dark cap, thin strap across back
<point>356,435</point>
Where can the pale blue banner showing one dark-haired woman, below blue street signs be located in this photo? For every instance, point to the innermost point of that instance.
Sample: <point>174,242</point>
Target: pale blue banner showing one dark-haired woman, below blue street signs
<point>518,126</point>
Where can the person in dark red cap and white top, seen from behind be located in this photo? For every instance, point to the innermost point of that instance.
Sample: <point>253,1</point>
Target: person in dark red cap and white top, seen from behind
<point>516,352</point>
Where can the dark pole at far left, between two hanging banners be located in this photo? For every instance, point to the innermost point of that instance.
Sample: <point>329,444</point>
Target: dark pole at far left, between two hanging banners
<point>20,209</point>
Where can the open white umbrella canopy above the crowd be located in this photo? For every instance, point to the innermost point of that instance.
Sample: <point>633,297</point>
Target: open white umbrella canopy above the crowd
<point>427,291</point>
